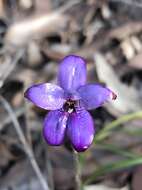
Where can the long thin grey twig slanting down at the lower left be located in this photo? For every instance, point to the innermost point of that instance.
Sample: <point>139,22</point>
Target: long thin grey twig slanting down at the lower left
<point>26,147</point>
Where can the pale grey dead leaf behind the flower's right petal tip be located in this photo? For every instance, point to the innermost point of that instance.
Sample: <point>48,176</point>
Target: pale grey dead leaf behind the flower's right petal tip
<point>128,98</point>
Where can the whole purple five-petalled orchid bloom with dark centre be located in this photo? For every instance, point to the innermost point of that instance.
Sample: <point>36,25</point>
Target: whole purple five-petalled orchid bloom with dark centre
<point>69,102</point>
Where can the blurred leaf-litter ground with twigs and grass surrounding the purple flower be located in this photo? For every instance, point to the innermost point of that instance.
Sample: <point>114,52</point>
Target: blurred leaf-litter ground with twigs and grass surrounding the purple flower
<point>34,36</point>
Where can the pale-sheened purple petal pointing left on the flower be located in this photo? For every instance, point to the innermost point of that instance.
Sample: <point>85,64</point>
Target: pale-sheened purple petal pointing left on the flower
<point>46,96</point>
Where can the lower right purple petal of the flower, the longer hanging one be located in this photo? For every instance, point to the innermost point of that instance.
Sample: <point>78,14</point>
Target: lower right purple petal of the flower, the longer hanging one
<point>80,130</point>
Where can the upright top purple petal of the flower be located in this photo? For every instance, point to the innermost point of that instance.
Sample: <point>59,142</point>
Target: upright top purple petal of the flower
<point>72,73</point>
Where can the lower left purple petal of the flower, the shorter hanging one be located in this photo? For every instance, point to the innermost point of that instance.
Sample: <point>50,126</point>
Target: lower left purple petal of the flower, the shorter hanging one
<point>54,127</point>
